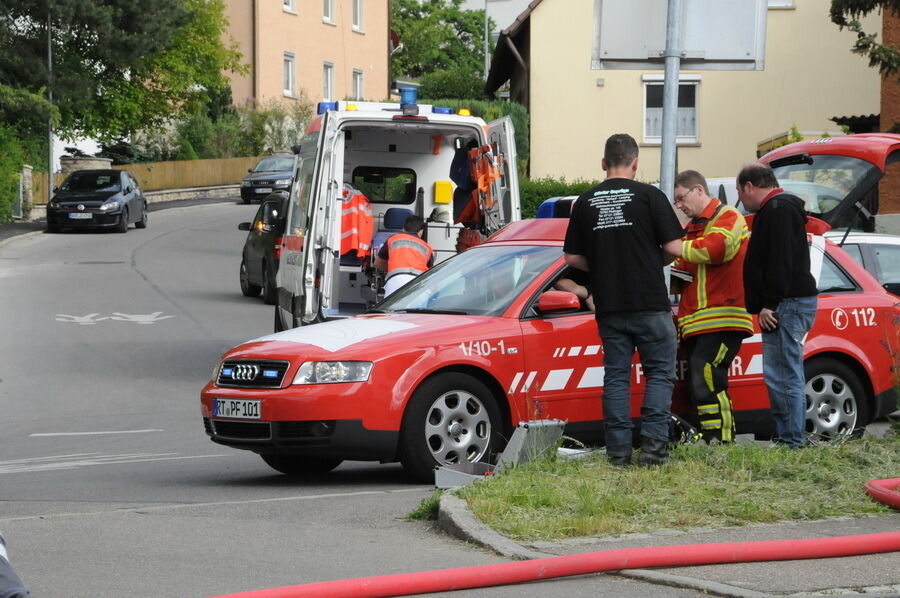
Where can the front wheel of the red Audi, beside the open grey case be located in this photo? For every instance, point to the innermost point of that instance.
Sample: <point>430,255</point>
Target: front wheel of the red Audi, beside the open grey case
<point>452,418</point>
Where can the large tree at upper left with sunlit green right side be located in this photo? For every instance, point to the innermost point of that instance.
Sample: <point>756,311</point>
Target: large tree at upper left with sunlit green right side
<point>118,65</point>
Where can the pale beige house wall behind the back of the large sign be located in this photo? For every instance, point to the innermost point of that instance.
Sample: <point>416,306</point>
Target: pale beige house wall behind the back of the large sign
<point>810,75</point>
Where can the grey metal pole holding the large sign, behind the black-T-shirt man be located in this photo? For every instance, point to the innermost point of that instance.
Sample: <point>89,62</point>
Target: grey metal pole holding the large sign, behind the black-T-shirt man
<point>672,56</point>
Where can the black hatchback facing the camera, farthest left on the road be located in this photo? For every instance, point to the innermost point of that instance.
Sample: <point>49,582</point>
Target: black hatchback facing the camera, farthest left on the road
<point>97,199</point>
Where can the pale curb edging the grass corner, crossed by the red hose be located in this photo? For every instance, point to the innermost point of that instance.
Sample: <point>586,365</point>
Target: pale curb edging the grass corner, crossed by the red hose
<point>456,519</point>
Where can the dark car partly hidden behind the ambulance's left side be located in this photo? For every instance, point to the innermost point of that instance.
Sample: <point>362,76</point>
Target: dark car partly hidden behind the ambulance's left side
<point>259,260</point>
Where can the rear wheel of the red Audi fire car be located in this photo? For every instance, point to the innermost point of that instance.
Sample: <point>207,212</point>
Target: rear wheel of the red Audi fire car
<point>836,401</point>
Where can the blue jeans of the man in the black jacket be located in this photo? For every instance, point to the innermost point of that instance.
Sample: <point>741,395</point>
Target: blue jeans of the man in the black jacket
<point>783,368</point>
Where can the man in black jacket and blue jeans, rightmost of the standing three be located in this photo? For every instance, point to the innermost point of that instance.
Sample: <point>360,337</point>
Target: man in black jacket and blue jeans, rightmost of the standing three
<point>779,287</point>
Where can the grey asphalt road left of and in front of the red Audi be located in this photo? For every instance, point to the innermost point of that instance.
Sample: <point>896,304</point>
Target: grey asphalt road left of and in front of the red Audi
<point>109,486</point>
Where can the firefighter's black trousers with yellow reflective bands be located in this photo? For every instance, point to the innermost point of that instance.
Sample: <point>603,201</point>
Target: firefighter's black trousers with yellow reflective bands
<point>709,358</point>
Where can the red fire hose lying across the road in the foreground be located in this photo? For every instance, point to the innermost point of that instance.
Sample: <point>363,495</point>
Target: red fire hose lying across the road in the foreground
<point>406,584</point>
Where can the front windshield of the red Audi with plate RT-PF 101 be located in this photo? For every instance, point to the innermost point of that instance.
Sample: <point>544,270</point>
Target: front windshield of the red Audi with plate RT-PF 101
<point>482,281</point>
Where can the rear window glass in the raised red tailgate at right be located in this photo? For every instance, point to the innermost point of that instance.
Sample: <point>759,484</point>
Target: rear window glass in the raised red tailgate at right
<point>824,184</point>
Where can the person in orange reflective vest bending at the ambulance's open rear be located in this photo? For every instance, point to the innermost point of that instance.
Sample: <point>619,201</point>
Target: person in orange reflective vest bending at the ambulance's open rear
<point>405,255</point>
